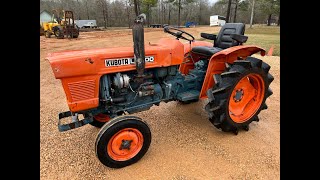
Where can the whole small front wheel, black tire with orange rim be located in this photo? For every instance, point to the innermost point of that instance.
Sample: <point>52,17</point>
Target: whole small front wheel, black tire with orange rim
<point>122,141</point>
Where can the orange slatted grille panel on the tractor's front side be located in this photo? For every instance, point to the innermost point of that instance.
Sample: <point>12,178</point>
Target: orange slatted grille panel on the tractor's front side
<point>82,90</point>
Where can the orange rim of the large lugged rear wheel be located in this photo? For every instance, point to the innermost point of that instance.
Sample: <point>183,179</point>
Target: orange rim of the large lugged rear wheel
<point>246,98</point>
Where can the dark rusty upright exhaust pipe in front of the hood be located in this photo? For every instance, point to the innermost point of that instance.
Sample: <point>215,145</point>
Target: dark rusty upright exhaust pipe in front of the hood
<point>138,45</point>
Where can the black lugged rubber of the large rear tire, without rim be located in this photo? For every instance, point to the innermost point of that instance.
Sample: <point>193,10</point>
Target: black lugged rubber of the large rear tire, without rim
<point>217,106</point>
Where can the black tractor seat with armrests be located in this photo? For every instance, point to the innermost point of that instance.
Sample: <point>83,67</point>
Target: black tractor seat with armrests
<point>221,41</point>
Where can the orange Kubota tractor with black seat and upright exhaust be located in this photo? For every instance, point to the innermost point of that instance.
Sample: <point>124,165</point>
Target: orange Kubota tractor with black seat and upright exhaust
<point>106,85</point>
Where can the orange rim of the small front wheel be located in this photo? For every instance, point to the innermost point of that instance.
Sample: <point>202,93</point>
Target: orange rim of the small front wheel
<point>125,144</point>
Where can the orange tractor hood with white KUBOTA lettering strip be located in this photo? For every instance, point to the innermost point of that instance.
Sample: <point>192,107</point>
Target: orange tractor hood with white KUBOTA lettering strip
<point>166,52</point>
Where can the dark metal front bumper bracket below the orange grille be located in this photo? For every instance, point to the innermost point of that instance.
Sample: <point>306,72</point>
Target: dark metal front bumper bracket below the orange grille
<point>74,124</point>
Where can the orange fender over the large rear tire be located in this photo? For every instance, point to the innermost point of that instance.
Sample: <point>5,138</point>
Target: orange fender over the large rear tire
<point>218,62</point>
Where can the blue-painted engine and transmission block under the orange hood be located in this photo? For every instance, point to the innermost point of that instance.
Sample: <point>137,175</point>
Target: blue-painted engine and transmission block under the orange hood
<point>121,92</point>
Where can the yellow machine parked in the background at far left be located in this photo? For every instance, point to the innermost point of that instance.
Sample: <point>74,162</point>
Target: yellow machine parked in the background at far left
<point>61,27</point>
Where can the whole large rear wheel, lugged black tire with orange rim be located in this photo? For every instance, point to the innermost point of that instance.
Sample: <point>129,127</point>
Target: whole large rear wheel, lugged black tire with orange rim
<point>239,95</point>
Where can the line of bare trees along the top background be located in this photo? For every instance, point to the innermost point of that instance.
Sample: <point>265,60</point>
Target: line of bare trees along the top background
<point>120,13</point>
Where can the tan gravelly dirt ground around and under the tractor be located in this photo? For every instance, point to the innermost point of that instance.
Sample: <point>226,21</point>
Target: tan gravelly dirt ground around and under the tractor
<point>185,145</point>
